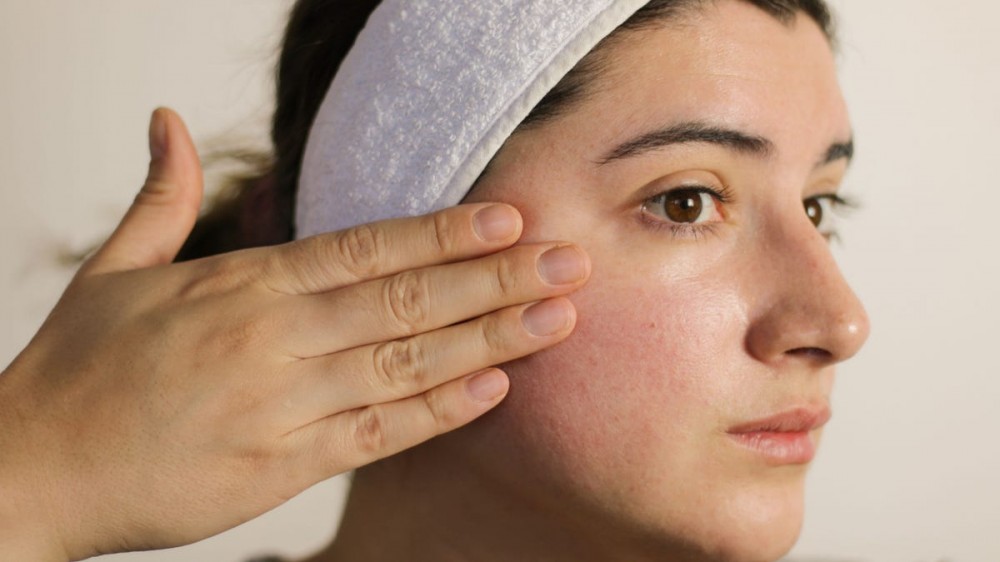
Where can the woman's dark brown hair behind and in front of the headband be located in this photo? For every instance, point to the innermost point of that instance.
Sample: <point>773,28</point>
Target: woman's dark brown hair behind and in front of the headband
<point>258,209</point>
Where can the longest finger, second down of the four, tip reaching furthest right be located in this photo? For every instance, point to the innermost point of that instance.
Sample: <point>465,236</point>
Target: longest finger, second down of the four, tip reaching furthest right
<point>418,301</point>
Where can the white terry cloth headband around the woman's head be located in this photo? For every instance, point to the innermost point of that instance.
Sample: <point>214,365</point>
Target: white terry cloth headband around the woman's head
<point>429,93</point>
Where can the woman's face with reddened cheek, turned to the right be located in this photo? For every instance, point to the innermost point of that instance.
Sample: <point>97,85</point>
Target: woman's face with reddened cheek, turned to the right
<point>709,308</point>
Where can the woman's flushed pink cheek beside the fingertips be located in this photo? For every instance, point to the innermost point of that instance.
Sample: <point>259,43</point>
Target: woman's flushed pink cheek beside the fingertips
<point>641,386</point>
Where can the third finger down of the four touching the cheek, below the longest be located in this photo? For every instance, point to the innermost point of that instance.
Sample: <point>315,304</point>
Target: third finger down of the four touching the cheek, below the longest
<point>398,369</point>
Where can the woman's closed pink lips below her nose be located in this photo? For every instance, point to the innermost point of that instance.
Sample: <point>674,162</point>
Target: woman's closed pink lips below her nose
<point>785,438</point>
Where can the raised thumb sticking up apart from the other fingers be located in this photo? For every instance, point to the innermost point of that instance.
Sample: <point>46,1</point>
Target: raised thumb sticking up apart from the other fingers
<point>164,212</point>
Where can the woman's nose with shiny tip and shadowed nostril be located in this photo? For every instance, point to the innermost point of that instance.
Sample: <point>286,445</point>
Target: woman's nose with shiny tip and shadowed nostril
<point>805,309</point>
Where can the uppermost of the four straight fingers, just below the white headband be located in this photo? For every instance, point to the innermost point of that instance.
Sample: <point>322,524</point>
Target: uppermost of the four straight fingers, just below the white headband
<point>329,261</point>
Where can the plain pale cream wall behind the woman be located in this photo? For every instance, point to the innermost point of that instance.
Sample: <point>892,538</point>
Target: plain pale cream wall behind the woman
<point>909,466</point>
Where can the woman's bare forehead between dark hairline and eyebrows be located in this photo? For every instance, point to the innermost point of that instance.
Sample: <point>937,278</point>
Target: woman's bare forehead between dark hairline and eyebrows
<point>727,62</point>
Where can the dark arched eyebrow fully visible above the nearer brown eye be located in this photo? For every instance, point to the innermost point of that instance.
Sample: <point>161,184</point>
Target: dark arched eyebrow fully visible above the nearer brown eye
<point>695,132</point>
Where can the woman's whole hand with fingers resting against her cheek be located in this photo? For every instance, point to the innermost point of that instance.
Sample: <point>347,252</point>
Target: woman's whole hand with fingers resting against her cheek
<point>163,403</point>
